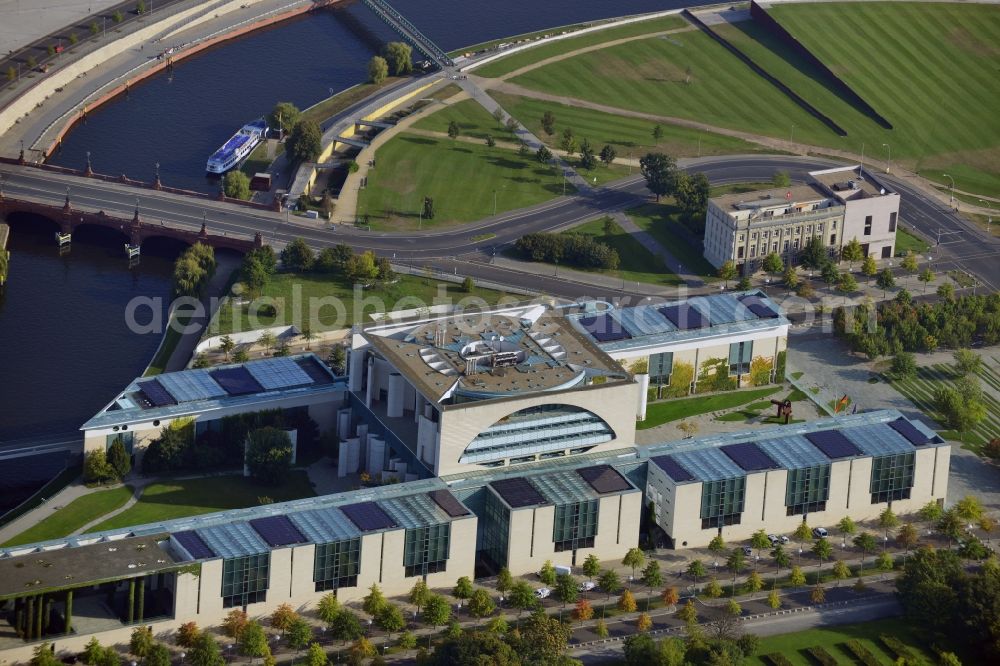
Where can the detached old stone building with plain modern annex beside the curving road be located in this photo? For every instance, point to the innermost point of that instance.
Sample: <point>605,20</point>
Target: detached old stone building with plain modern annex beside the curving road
<point>836,206</point>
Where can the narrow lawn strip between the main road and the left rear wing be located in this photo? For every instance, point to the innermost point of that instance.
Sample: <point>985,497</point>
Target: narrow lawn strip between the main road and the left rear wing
<point>293,294</point>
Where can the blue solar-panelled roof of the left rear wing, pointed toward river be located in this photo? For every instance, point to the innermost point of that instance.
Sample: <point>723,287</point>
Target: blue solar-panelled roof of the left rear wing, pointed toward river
<point>198,390</point>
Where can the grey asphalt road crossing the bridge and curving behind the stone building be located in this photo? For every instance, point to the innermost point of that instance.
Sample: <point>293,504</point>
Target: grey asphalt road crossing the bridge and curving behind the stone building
<point>464,248</point>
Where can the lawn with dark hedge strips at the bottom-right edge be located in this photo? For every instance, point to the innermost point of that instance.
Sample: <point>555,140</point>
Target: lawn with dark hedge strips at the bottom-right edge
<point>833,639</point>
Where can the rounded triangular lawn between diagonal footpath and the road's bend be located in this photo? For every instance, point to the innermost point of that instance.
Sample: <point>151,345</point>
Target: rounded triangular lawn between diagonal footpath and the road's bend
<point>460,177</point>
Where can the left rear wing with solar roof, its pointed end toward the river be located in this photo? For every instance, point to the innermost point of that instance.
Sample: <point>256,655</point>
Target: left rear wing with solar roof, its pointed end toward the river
<point>207,396</point>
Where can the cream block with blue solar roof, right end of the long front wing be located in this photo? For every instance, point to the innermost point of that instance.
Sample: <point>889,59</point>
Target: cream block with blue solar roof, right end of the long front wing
<point>735,484</point>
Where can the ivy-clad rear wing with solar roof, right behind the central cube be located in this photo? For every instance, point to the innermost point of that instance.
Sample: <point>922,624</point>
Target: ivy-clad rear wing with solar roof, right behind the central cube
<point>707,343</point>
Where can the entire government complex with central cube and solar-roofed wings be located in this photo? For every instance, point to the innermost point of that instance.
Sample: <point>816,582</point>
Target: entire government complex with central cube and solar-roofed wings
<point>509,438</point>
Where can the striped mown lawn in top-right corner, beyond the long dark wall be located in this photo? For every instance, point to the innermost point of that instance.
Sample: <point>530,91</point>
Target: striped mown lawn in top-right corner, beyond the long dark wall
<point>947,122</point>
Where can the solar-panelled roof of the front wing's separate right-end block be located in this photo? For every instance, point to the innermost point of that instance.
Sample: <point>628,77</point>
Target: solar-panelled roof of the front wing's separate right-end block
<point>797,446</point>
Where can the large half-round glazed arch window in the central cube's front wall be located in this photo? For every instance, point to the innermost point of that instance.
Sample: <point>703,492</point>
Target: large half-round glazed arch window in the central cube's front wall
<point>547,429</point>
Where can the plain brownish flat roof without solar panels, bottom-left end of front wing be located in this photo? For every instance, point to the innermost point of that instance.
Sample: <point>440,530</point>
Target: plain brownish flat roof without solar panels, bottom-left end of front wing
<point>62,567</point>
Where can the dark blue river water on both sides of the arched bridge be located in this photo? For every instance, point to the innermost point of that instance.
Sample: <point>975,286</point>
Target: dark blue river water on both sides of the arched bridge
<point>64,346</point>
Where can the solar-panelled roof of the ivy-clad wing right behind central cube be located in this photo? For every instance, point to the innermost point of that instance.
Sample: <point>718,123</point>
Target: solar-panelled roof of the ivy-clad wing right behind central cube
<point>657,324</point>
